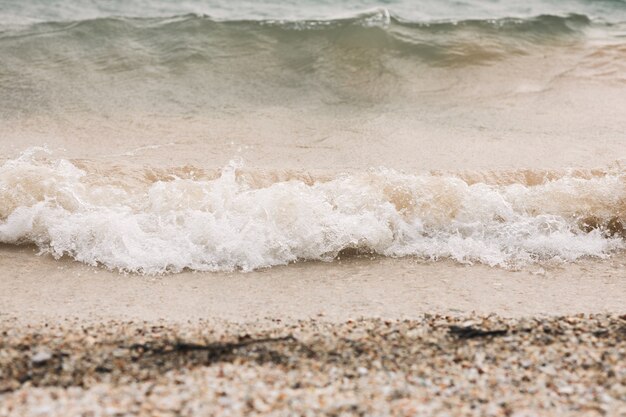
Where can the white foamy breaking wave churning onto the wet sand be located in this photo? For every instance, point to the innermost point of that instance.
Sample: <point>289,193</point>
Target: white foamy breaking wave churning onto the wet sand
<point>234,222</point>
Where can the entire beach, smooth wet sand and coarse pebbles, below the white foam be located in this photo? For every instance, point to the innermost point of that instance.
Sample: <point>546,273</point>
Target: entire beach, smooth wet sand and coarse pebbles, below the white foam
<point>352,337</point>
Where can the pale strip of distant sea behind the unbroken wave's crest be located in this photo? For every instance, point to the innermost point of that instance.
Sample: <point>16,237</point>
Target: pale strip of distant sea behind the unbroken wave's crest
<point>28,11</point>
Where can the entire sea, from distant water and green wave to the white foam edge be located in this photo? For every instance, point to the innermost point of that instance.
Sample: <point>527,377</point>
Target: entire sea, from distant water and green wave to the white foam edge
<point>221,136</point>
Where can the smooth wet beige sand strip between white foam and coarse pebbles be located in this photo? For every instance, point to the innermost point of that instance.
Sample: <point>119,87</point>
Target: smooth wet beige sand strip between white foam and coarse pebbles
<point>35,288</point>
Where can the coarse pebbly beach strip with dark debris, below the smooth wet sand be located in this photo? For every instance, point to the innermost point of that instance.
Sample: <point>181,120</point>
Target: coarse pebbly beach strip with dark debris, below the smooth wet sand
<point>432,366</point>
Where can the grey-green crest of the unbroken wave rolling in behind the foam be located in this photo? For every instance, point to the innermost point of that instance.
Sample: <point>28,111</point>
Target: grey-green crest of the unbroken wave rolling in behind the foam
<point>201,37</point>
